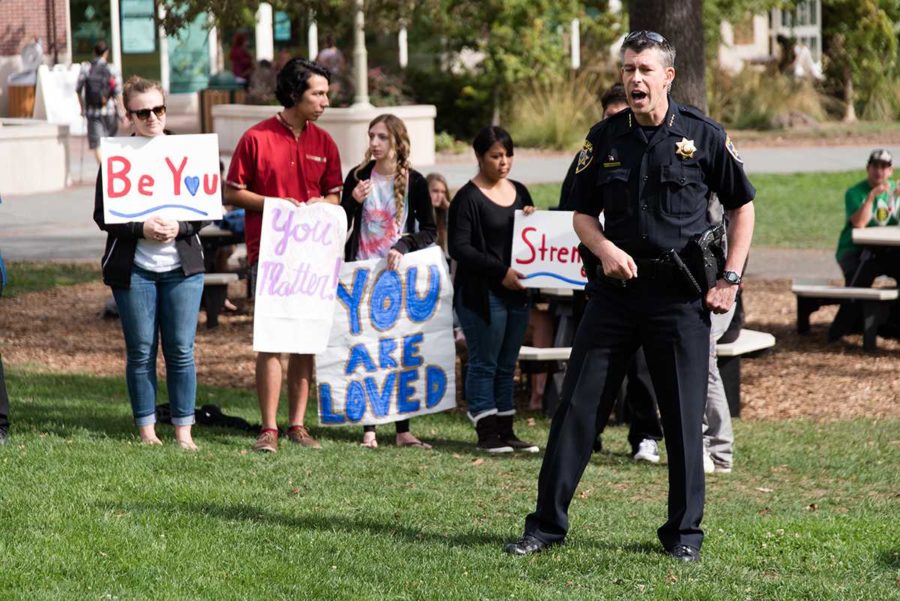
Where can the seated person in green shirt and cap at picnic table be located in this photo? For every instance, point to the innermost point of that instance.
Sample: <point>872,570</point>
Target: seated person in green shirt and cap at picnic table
<point>870,203</point>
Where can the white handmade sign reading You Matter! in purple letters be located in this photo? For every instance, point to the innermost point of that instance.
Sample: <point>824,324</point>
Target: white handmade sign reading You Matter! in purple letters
<point>300,256</point>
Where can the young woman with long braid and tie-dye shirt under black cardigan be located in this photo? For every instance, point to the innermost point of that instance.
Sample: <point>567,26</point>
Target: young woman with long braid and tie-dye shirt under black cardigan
<point>389,214</point>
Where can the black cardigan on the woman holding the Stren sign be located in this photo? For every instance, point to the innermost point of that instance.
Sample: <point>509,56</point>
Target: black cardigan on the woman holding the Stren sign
<point>476,271</point>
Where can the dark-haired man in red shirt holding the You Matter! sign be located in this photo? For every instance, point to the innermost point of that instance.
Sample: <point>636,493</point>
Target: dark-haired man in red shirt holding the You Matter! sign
<point>286,156</point>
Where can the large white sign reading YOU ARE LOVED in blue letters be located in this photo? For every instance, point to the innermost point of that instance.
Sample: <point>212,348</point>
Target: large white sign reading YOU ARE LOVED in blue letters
<point>391,355</point>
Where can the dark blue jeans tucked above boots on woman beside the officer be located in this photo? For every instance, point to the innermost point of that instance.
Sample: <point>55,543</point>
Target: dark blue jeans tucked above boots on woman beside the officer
<point>493,351</point>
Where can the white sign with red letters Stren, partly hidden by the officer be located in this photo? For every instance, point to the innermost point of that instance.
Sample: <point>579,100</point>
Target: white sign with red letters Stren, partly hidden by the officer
<point>545,249</point>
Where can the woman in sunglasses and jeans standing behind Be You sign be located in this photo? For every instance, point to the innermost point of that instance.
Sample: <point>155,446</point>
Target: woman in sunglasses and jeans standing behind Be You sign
<point>155,270</point>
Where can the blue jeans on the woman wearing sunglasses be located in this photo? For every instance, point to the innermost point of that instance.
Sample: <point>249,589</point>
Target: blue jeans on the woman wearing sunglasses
<point>160,305</point>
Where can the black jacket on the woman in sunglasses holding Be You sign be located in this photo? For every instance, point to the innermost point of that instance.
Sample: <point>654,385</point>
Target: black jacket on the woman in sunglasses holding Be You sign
<point>121,242</point>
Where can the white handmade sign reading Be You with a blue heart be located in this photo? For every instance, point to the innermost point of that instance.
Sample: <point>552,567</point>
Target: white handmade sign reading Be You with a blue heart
<point>176,177</point>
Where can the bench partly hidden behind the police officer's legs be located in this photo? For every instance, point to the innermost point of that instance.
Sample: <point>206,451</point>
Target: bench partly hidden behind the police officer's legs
<point>749,343</point>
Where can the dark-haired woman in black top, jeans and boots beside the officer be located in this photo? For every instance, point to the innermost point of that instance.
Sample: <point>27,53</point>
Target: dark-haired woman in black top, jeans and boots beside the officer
<point>490,301</point>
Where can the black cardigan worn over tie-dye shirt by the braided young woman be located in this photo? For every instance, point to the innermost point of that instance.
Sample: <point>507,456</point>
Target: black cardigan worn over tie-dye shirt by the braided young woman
<point>420,210</point>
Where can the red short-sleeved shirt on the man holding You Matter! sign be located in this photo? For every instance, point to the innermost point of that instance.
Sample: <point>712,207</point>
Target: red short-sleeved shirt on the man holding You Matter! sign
<point>270,161</point>
